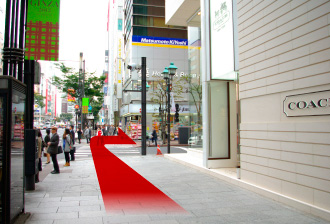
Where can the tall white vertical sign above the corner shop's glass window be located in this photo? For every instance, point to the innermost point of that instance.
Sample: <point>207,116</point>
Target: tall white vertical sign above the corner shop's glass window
<point>222,40</point>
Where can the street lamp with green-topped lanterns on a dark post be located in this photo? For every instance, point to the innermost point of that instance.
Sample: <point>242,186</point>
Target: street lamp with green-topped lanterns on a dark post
<point>168,73</point>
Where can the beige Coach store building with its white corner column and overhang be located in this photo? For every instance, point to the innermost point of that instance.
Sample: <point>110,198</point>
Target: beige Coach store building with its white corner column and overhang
<point>283,90</point>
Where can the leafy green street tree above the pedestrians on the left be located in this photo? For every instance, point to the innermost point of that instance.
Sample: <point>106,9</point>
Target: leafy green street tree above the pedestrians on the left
<point>93,86</point>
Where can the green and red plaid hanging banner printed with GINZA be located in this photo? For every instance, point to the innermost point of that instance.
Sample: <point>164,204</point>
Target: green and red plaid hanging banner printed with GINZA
<point>42,35</point>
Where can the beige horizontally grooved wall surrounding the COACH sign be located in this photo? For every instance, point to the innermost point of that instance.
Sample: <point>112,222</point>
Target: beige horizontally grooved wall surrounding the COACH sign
<point>284,49</point>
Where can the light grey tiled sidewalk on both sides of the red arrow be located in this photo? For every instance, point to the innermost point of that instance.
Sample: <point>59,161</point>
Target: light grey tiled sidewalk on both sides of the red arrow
<point>74,197</point>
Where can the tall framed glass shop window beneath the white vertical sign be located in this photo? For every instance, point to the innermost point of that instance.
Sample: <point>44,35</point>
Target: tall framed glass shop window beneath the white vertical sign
<point>222,150</point>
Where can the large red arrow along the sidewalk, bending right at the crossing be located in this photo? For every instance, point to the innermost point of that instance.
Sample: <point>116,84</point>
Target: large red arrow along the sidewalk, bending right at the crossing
<point>122,188</point>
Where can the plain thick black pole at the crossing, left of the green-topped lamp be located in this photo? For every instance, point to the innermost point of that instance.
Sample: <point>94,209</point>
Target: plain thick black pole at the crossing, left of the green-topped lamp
<point>144,105</point>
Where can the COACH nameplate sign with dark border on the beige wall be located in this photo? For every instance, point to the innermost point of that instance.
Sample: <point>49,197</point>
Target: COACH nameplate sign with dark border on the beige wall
<point>308,104</point>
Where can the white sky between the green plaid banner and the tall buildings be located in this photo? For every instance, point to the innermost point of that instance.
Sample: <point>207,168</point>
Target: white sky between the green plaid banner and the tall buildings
<point>83,29</point>
